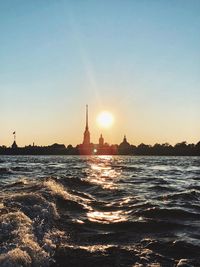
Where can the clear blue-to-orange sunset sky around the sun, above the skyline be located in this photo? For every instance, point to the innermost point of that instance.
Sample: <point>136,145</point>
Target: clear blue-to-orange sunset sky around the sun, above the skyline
<point>139,60</point>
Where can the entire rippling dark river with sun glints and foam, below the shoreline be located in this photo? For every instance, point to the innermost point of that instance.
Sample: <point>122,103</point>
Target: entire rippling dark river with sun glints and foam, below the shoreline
<point>99,211</point>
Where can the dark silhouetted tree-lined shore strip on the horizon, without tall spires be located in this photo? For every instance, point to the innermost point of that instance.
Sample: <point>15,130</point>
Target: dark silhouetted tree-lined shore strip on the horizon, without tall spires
<point>180,149</point>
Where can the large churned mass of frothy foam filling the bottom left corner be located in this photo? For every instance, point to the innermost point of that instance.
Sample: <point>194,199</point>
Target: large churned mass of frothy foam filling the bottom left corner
<point>26,230</point>
